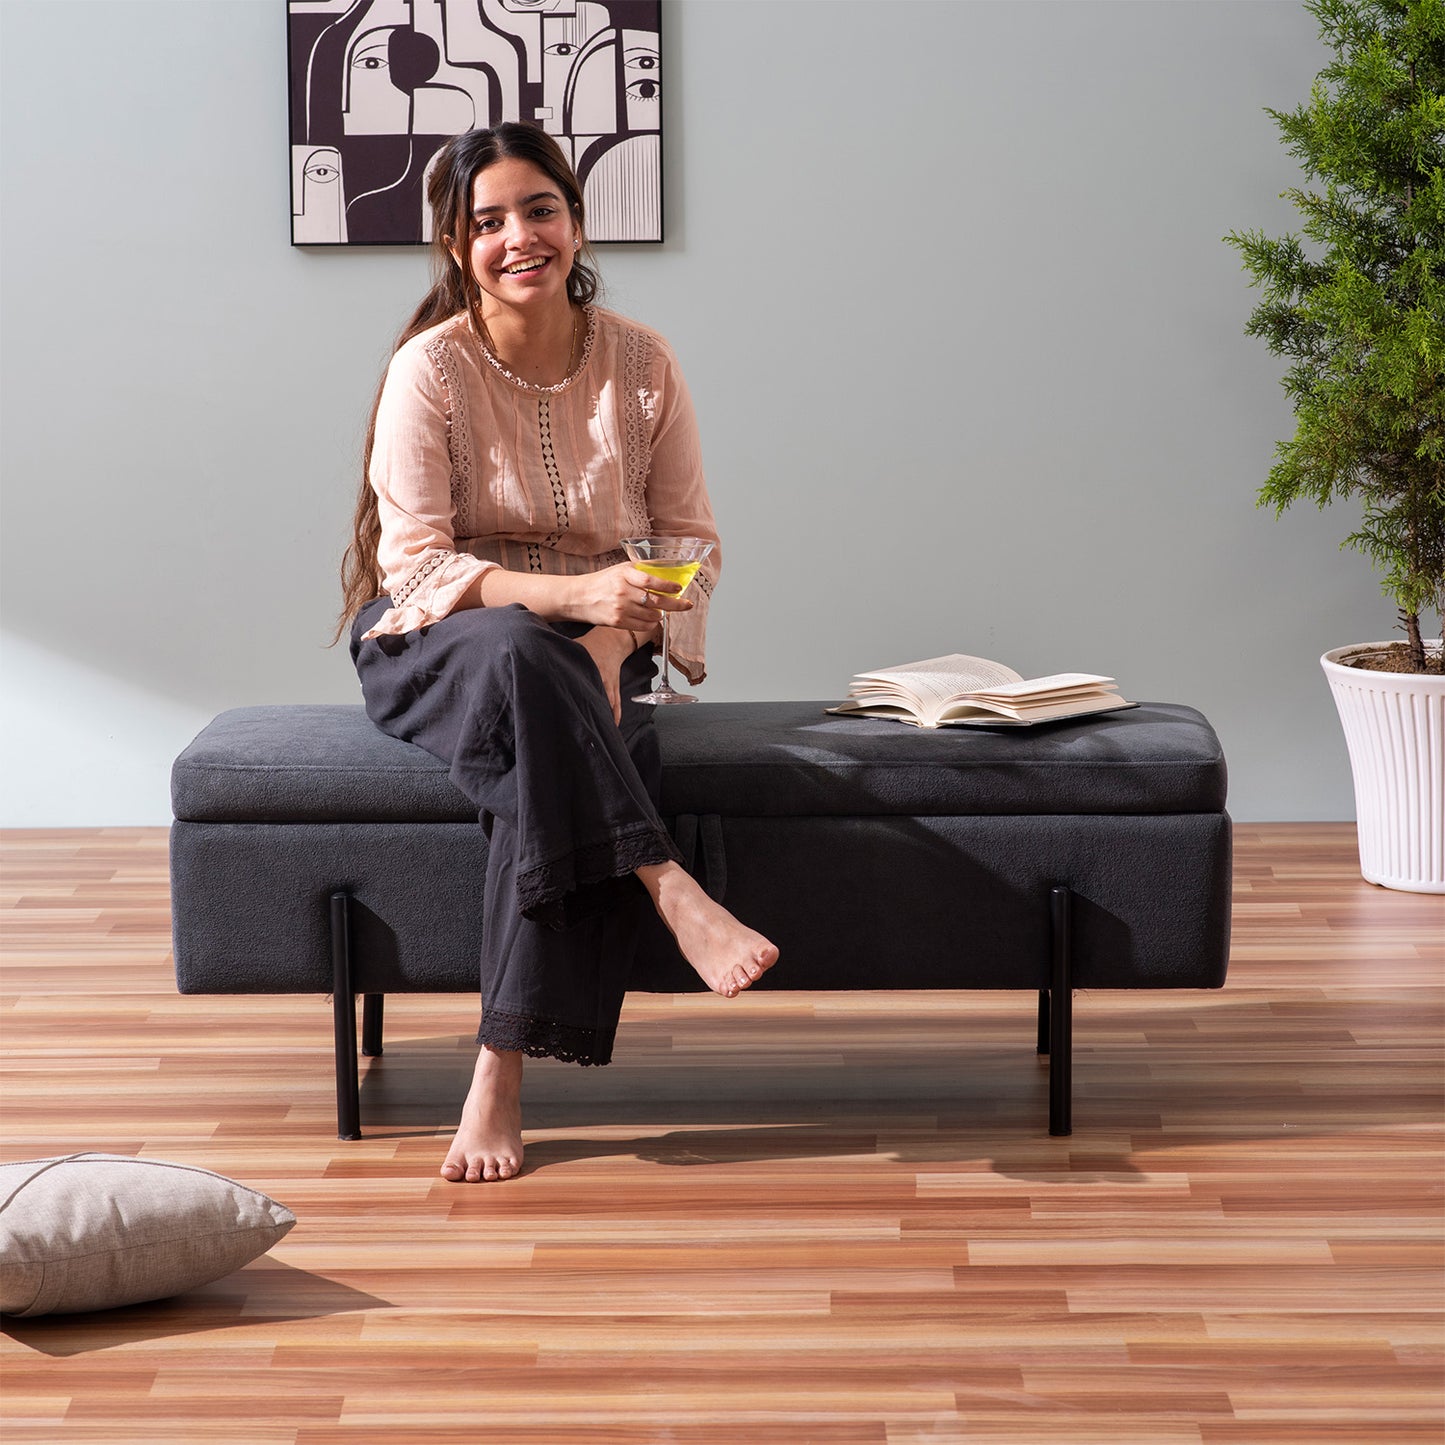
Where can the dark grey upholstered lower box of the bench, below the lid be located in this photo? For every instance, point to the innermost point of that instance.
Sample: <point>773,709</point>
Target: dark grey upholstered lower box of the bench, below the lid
<point>872,902</point>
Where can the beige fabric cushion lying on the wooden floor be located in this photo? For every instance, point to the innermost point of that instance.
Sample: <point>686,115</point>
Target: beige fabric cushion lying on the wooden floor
<point>93,1232</point>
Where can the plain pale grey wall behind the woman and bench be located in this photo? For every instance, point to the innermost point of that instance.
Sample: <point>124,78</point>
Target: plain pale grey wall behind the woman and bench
<point>946,278</point>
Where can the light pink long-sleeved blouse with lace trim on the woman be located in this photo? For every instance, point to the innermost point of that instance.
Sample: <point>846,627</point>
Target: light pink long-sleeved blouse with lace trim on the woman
<point>475,469</point>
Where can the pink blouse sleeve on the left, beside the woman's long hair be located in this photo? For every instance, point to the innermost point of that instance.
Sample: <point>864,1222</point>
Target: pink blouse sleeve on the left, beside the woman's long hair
<point>411,475</point>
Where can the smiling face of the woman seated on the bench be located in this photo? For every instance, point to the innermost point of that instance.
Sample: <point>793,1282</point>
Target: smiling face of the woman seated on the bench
<point>522,236</point>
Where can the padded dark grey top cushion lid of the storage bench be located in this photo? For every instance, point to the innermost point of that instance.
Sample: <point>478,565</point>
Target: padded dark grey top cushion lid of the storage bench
<point>327,764</point>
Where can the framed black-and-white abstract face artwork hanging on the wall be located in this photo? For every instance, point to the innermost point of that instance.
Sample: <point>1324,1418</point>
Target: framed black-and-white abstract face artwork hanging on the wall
<point>379,86</point>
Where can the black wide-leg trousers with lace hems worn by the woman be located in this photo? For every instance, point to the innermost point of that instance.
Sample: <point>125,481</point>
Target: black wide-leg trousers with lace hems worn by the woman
<point>569,800</point>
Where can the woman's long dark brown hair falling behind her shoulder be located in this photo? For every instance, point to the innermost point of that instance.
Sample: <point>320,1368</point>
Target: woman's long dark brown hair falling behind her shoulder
<point>449,194</point>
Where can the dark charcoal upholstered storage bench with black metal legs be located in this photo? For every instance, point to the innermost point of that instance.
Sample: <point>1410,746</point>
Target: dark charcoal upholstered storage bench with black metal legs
<point>314,855</point>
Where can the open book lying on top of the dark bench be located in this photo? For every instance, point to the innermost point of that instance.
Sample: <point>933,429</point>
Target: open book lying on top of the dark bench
<point>959,691</point>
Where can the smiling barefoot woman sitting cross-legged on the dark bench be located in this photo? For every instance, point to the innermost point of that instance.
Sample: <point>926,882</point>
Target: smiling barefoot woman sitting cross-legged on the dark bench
<point>521,433</point>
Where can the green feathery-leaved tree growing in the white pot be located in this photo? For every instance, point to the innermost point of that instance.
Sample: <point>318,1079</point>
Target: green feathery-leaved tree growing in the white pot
<point>1359,307</point>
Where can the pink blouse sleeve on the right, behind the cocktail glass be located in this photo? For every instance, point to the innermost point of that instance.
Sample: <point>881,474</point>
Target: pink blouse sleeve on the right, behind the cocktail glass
<point>678,504</point>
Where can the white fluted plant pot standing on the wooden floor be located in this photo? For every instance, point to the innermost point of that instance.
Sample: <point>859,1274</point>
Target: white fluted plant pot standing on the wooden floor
<point>1395,730</point>
